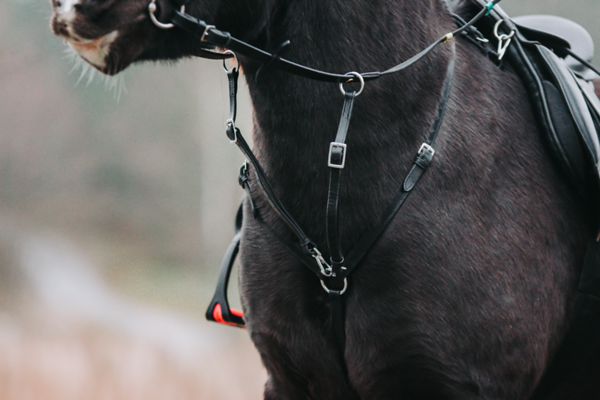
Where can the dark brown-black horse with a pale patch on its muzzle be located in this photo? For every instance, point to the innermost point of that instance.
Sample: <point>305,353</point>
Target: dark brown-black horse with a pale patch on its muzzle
<point>469,291</point>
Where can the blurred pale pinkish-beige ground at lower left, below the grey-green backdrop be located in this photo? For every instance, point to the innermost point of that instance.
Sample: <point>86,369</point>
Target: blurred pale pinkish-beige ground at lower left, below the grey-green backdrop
<point>85,341</point>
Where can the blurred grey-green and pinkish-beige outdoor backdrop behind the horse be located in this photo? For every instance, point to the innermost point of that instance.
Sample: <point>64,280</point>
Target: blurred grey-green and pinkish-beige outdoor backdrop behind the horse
<point>117,200</point>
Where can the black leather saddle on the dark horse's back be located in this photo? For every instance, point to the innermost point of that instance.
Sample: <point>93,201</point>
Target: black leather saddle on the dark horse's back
<point>567,116</point>
